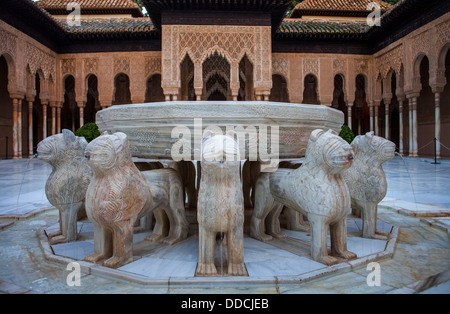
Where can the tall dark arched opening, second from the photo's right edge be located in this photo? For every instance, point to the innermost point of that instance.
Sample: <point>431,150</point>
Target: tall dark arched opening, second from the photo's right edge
<point>425,112</point>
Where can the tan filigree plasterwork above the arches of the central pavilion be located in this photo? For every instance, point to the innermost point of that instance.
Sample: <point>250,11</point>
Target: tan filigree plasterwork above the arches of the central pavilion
<point>231,42</point>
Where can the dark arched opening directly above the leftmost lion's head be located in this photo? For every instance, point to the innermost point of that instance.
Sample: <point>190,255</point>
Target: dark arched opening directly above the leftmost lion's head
<point>69,113</point>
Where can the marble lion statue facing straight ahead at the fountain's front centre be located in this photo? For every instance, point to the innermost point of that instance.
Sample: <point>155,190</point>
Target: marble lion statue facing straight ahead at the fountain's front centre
<point>220,204</point>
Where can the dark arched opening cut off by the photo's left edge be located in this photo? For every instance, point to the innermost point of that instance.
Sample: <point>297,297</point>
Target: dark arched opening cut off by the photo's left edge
<point>6,112</point>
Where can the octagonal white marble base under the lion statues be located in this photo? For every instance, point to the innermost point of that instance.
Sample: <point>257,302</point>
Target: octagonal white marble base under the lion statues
<point>278,261</point>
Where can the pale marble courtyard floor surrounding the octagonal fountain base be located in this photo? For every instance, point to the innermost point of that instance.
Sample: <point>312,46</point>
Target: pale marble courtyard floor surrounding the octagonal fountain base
<point>417,204</point>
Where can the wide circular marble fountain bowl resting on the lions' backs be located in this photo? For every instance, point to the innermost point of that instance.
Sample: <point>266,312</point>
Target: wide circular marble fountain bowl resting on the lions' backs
<point>154,128</point>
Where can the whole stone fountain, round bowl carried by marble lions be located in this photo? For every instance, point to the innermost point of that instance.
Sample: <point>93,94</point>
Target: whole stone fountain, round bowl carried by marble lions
<point>261,132</point>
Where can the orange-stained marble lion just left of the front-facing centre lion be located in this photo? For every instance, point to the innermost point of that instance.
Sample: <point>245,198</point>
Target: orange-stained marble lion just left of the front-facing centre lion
<point>118,195</point>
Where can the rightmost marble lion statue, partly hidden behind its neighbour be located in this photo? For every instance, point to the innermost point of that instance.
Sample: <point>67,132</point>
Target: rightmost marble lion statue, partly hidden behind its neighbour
<point>366,180</point>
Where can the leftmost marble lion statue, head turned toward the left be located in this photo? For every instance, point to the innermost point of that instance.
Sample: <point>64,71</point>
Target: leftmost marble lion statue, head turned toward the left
<point>67,184</point>
